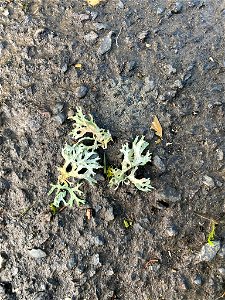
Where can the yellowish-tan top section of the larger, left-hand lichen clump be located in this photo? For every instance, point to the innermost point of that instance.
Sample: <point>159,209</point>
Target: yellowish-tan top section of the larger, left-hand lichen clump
<point>84,126</point>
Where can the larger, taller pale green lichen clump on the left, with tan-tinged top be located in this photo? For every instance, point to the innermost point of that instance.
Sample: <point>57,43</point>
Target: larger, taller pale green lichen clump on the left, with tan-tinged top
<point>81,160</point>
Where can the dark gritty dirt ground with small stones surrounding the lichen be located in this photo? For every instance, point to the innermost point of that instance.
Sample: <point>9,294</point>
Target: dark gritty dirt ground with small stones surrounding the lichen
<point>138,59</point>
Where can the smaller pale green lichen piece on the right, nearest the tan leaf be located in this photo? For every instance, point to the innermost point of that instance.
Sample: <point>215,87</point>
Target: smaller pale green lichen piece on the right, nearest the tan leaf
<point>132,158</point>
